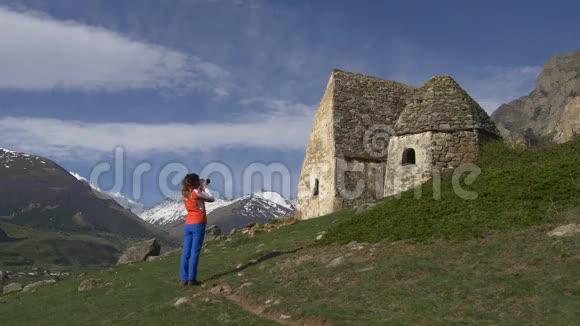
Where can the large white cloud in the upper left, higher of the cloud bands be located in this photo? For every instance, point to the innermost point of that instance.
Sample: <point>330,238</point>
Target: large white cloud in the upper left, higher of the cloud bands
<point>42,53</point>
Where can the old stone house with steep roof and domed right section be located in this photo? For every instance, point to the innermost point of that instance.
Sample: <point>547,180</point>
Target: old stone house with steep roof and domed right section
<point>373,138</point>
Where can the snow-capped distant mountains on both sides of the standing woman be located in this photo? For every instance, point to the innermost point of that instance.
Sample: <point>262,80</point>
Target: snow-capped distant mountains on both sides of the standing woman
<point>259,207</point>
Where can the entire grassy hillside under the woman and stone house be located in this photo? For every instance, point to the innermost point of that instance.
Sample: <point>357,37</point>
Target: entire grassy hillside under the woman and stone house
<point>451,261</point>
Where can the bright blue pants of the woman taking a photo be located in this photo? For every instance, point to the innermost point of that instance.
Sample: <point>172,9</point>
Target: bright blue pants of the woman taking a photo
<point>193,239</point>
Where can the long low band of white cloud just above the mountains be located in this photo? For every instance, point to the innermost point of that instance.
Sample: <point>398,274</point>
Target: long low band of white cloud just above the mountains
<point>75,140</point>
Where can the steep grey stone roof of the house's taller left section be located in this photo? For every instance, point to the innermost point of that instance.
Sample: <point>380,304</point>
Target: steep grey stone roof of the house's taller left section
<point>361,103</point>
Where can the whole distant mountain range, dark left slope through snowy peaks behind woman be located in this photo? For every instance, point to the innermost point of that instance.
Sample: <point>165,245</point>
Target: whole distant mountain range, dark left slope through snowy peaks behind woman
<point>44,206</point>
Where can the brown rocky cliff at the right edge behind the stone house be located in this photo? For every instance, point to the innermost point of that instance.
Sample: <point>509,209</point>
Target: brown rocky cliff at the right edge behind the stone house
<point>551,112</point>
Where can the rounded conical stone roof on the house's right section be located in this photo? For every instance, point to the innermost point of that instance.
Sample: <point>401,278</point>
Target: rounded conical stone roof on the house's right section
<point>442,105</point>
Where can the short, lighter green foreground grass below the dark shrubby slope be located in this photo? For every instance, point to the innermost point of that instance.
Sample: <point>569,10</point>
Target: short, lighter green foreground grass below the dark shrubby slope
<point>516,277</point>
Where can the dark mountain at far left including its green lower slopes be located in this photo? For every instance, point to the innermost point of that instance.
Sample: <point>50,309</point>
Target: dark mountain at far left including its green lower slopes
<point>59,219</point>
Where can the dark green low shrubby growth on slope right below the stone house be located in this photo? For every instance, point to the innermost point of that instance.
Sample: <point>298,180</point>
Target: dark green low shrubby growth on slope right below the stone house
<point>517,188</point>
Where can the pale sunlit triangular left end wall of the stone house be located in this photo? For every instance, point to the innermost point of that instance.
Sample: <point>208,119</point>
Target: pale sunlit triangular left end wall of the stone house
<point>318,164</point>
